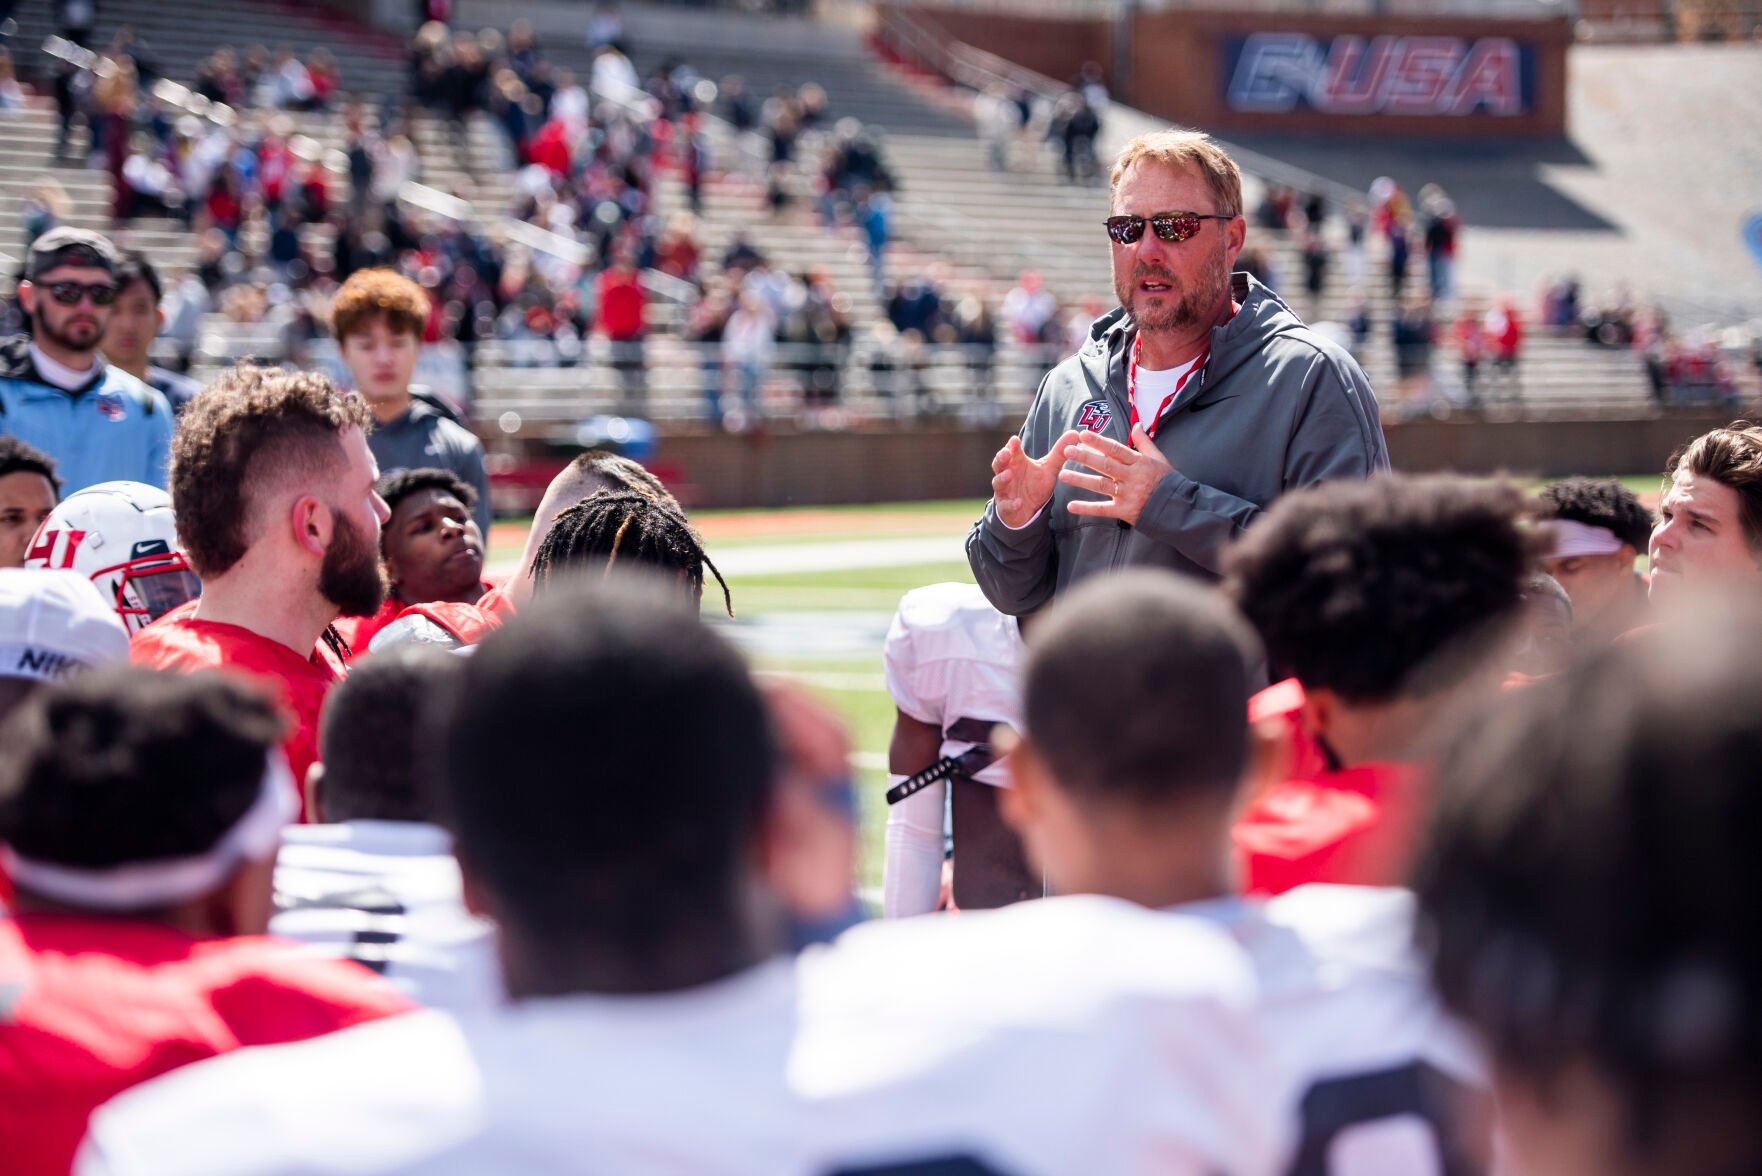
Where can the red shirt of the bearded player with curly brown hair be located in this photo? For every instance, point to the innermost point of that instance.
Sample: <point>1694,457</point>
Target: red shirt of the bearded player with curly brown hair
<point>184,644</point>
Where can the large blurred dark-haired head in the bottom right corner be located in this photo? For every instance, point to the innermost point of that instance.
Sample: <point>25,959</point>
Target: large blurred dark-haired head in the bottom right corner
<point>1588,893</point>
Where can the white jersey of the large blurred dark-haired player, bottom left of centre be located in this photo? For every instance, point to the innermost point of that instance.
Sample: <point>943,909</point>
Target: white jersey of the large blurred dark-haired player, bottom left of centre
<point>676,1085</point>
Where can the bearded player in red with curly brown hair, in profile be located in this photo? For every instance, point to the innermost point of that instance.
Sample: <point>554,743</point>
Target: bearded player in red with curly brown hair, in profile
<point>278,510</point>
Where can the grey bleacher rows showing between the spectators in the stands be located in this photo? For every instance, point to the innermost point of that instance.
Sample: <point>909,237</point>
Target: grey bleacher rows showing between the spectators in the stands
<point>952,211</point>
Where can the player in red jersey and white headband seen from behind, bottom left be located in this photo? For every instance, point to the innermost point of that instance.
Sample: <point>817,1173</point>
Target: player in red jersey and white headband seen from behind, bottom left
<point>140,815</point>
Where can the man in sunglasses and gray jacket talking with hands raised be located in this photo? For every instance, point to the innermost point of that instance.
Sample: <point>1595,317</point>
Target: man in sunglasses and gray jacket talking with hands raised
<point>1188,410</point>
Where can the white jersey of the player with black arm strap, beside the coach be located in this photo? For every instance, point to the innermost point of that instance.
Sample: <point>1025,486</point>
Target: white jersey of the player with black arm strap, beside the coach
<point>952,657</point>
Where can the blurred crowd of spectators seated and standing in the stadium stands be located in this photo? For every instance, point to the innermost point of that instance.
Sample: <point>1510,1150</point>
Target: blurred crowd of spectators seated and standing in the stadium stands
<point>281,220</point>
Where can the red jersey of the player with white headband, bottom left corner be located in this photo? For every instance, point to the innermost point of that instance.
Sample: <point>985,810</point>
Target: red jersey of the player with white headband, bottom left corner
<point>91,1008</point>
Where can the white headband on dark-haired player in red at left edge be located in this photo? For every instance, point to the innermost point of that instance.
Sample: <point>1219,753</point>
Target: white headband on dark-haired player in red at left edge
<point>142,886</point>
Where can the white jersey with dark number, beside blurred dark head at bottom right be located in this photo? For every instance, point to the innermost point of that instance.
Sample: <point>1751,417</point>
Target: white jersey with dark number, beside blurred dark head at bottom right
<point>1375,1076</point>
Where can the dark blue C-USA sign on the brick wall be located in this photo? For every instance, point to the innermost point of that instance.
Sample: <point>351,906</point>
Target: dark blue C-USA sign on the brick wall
<point>1349,75</point>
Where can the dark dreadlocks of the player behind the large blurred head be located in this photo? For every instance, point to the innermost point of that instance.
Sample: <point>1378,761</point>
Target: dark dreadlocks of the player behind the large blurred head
<point>612,525</point>
